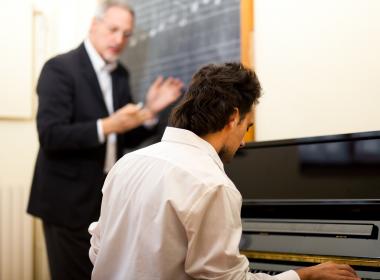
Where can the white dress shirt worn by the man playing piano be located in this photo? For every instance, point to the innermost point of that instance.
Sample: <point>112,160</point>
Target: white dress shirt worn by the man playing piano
<point>169,211</point>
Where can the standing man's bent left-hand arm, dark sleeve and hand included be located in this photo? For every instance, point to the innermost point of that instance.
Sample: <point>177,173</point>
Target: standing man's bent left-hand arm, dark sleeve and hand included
<point>57,122</point>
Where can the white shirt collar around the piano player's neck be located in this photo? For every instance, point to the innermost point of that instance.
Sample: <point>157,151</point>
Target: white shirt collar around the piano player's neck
<point>188,137</point>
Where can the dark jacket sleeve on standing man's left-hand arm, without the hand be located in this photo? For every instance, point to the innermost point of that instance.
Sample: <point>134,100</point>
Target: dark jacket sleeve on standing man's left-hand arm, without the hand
<point>55,115</point>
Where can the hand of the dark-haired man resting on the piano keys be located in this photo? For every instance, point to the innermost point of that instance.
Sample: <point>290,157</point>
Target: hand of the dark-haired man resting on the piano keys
<point>328,271</point>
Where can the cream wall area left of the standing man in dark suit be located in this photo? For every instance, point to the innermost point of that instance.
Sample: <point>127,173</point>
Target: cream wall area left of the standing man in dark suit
<point>32,31</point>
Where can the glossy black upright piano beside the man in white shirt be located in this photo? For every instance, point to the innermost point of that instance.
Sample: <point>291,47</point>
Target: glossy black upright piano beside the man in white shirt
<point>311,200</point>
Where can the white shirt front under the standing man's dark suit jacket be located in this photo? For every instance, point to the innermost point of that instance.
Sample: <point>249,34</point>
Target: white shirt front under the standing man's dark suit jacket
<point>103,73</point>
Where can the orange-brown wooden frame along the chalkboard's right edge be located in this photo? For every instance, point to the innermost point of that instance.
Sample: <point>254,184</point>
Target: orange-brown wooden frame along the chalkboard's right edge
<point>246,46</point>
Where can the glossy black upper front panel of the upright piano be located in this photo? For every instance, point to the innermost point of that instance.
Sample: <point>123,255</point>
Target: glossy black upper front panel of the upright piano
<point>342,167</point>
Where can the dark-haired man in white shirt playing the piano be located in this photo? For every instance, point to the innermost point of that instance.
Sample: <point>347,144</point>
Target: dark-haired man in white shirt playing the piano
<point>169,211</point>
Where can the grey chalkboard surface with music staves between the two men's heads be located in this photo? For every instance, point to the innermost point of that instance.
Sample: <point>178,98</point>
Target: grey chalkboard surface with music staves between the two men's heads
<point>176,37</point>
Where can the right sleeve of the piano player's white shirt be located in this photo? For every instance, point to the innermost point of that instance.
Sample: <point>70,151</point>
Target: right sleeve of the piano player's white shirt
<point>213,229</point>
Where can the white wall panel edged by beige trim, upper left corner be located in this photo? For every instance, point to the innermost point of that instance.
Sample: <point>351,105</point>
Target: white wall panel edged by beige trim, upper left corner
<point>15,96</point>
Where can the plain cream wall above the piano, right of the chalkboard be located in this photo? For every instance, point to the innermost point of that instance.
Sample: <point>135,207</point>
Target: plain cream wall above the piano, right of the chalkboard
<point>319,64</point>
